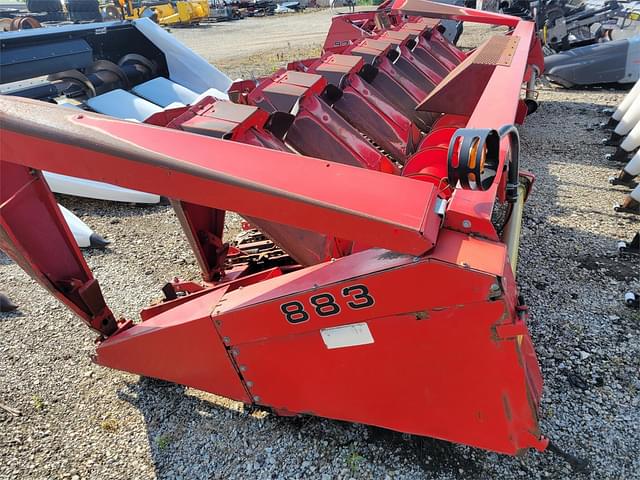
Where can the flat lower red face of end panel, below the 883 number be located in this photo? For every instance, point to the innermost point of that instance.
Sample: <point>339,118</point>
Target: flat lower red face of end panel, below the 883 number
<point>443,376</point>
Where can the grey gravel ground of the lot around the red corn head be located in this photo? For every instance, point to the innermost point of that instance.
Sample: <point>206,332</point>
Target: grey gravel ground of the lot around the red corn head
<point>80,421</point>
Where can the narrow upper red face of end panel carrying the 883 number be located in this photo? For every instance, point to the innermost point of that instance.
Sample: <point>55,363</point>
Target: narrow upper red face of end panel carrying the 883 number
<point>416,286</point>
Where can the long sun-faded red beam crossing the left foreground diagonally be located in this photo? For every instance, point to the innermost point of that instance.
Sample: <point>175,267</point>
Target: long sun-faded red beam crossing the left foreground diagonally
<point>350,202</point>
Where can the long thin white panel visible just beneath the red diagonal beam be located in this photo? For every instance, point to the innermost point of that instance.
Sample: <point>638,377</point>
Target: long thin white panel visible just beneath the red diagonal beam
<point>98,190</point>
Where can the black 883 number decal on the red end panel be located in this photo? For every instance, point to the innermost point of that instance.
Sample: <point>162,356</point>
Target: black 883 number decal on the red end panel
<point>354,297</point>
